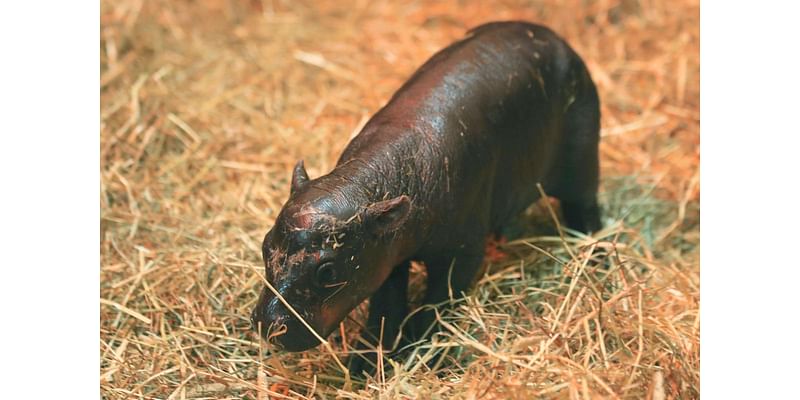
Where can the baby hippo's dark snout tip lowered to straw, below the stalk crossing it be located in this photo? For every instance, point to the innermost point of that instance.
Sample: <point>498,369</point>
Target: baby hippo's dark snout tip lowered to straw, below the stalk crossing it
<point>275,323</point>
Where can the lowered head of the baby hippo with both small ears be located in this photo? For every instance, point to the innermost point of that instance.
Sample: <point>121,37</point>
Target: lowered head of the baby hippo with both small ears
<point>326,253</point>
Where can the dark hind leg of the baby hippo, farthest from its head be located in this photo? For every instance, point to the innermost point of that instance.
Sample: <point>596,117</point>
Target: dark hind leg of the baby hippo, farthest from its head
<point>577,177</point>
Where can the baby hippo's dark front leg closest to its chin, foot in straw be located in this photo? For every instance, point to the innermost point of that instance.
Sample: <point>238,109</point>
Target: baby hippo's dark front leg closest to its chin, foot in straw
<point>388,306</point>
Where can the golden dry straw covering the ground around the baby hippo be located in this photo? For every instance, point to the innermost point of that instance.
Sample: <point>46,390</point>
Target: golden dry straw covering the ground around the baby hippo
<point>206,105</point>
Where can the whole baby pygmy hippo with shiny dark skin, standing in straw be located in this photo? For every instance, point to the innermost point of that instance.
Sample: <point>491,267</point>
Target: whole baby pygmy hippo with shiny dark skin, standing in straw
<point>455,155</point>
